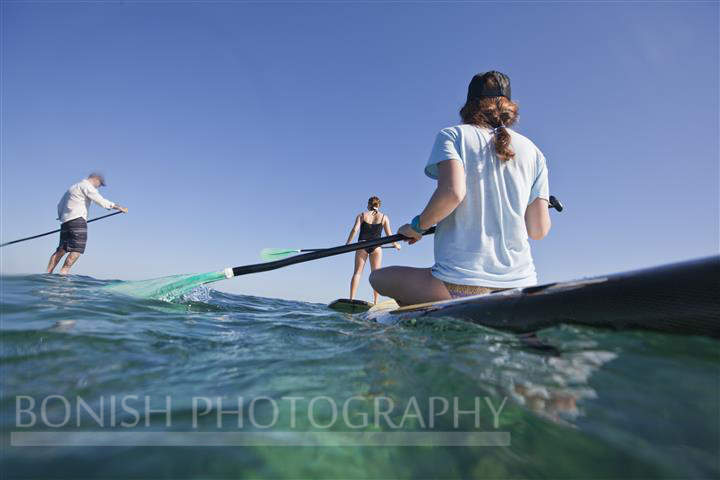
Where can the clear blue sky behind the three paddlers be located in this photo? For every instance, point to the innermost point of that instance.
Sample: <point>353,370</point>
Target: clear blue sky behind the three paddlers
<point>227,127</point>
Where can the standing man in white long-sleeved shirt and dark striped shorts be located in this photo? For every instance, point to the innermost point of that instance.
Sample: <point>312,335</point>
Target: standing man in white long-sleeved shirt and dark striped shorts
<point>73,213</point>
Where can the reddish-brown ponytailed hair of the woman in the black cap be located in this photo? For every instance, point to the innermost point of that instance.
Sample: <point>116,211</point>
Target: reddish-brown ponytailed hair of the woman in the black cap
<point>493,112</point>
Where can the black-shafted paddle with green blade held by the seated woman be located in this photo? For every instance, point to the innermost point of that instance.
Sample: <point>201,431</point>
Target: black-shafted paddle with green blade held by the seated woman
<point>168,288</point>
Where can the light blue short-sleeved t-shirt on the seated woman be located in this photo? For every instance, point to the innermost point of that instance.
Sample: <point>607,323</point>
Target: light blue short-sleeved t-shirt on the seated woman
<point>484,242</point>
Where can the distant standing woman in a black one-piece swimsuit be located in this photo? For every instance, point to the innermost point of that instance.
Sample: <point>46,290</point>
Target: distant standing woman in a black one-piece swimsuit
<point>370,224</point>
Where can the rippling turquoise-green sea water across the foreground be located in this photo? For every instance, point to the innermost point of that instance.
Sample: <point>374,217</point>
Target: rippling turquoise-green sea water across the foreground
<point>597,404</point>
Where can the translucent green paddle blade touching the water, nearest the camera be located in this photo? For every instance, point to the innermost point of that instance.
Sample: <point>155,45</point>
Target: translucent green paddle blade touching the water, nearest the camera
<point>166,288</point>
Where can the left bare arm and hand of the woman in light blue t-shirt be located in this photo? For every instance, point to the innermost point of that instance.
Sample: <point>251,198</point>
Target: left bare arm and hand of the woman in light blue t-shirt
<point>449,193</point>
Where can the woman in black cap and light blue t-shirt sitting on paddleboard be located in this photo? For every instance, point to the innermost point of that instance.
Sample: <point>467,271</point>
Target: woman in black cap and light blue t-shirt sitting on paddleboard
<point>492,194</point>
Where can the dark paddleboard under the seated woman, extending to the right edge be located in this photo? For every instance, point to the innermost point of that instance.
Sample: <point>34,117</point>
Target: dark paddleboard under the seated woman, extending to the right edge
<point>682,298</point>
